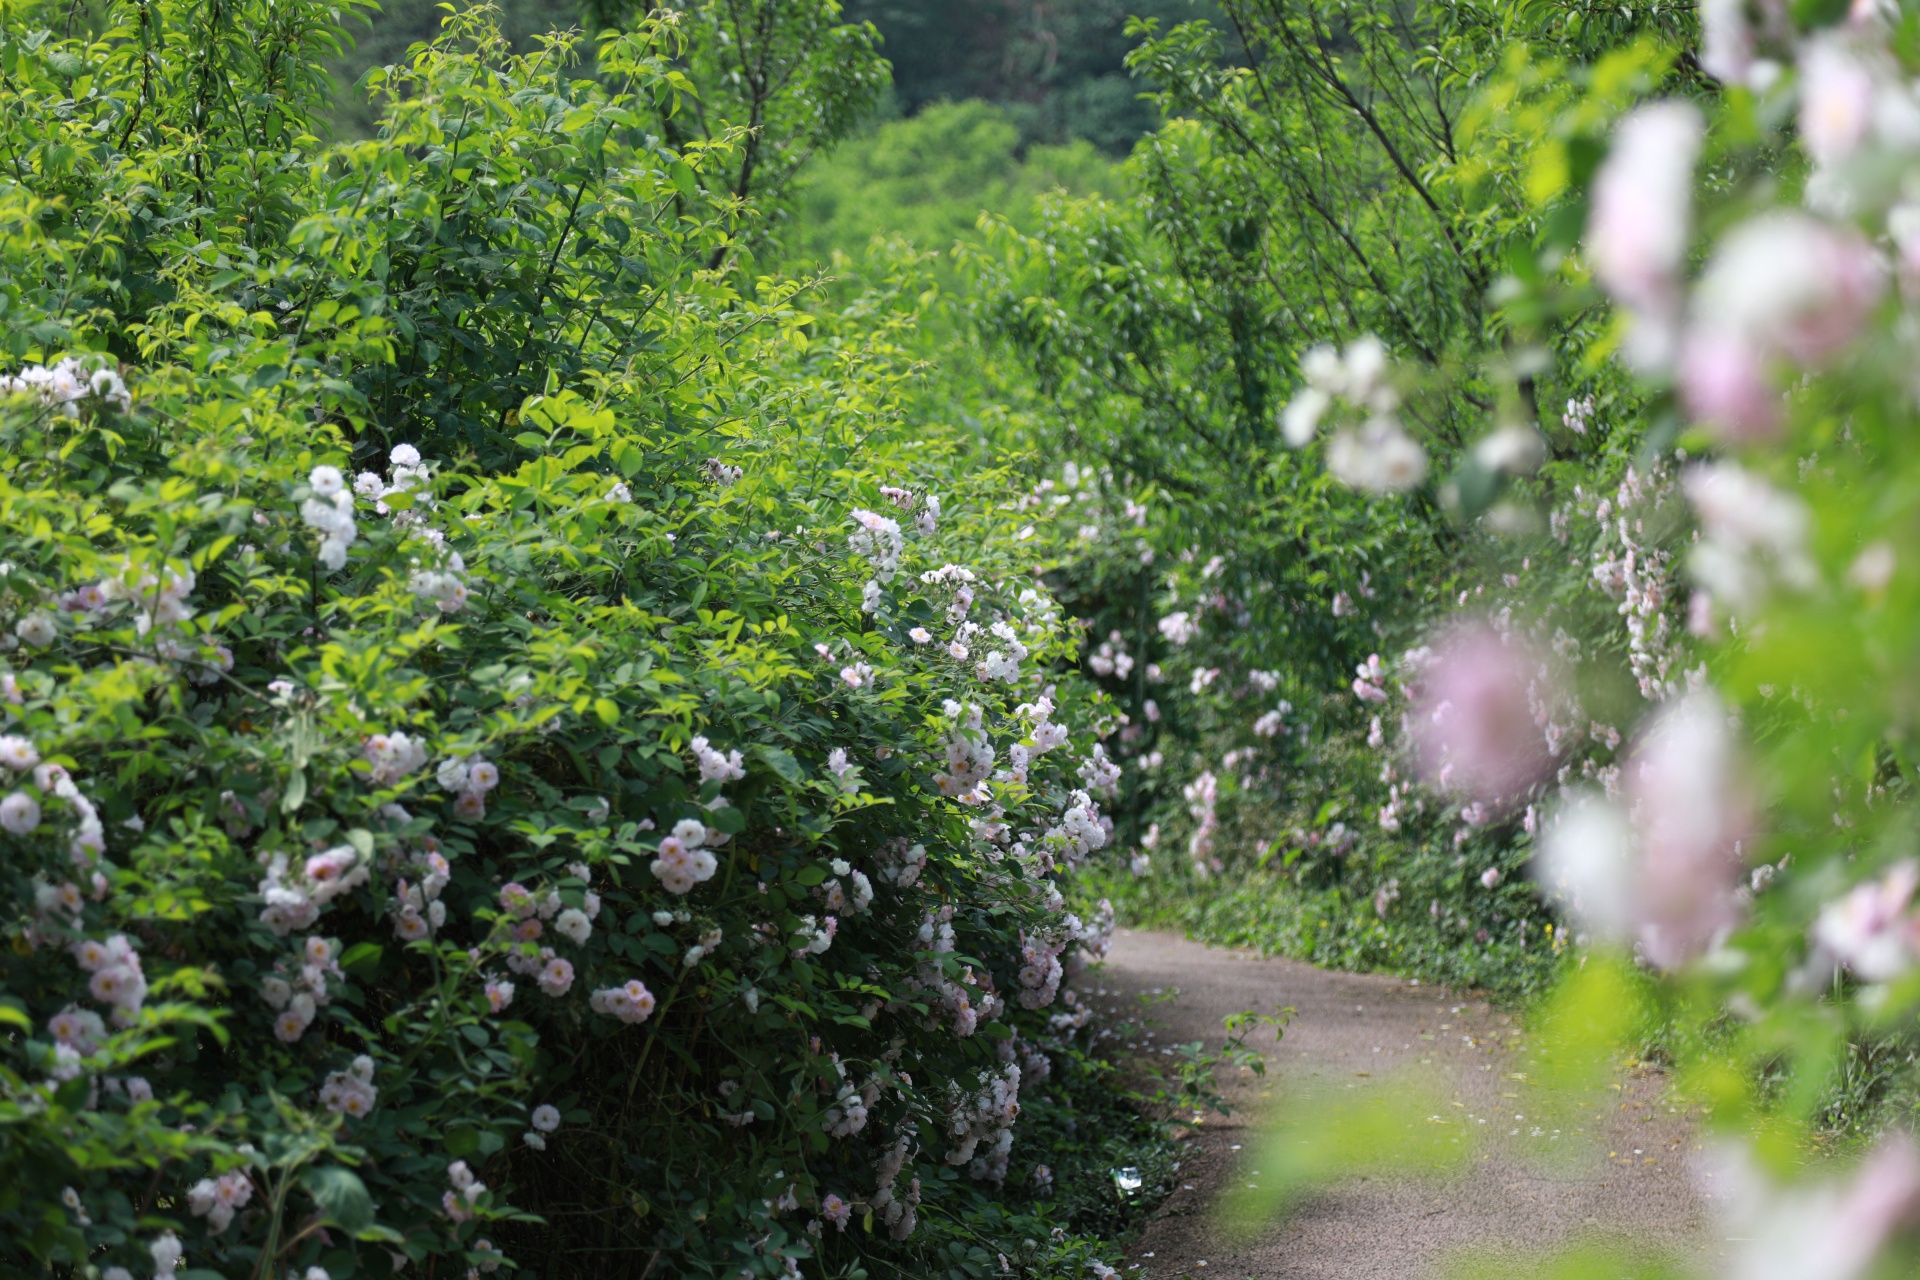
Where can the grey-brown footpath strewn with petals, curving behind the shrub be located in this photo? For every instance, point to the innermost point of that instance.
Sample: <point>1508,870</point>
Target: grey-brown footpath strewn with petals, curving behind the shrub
<point>1527,1191</point>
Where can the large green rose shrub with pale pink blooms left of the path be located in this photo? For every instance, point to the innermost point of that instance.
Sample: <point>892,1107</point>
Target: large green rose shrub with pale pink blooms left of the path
<point>516,749</point>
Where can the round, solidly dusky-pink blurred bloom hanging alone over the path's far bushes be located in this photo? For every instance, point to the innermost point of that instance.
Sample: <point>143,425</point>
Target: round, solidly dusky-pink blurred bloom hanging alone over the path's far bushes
<point>1474,719</point>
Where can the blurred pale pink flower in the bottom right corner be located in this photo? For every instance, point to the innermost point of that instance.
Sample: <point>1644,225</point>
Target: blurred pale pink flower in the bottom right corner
<point>1823,1233</point>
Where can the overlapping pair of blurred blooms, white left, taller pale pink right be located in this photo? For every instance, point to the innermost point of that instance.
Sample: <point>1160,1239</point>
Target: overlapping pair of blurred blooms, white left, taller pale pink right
<point>1668,876</point>
